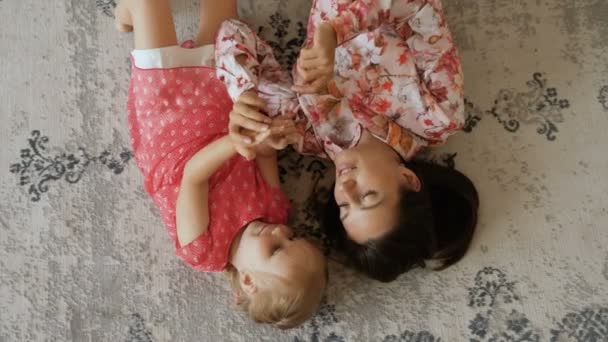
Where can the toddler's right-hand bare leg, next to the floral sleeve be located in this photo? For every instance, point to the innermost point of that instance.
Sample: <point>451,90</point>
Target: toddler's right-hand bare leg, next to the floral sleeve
<point>212,14</point>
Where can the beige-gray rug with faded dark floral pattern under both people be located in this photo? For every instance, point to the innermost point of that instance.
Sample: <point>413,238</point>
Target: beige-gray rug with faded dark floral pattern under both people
<point>84,257</point>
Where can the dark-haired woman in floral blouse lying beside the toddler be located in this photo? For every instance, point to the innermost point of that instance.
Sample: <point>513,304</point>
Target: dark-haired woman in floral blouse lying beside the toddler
<point>377,82</point>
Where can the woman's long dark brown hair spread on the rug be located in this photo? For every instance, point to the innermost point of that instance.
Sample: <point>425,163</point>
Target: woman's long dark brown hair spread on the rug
<point>436,223</point>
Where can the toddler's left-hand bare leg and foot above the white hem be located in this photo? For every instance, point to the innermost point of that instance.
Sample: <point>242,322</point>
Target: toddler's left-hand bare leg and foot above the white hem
<point>150,20</point>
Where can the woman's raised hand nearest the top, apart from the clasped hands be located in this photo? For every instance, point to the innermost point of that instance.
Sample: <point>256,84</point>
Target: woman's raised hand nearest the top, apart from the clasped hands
<point>315,65</point>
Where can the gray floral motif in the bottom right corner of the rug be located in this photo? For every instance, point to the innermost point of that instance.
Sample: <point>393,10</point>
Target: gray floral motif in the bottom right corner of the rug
<point>590,324</point>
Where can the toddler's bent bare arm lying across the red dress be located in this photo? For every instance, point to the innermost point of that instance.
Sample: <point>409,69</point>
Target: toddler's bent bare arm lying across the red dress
<point>192,207</point>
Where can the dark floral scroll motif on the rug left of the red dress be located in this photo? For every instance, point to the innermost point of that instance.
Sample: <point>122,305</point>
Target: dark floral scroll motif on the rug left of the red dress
<point>38,168</point>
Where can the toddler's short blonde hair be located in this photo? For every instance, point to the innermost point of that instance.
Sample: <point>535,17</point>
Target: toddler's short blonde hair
<point>283,303</point>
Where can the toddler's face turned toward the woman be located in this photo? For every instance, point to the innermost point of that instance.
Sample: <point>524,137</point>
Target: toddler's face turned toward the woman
<point>271,248</point>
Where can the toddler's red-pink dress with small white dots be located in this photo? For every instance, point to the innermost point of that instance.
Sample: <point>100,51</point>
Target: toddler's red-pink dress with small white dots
<point>172,114</point>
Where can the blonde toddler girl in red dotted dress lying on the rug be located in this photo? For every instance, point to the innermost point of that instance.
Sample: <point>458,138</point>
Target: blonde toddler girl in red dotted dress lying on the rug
<point>224,212</point>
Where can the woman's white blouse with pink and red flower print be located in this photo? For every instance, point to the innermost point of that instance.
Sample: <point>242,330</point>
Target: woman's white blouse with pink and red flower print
<point>398,75</point>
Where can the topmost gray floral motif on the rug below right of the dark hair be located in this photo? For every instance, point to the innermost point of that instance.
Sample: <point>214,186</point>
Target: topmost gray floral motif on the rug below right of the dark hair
<point>490,285</point>
